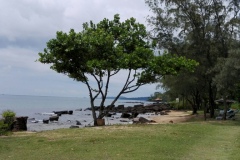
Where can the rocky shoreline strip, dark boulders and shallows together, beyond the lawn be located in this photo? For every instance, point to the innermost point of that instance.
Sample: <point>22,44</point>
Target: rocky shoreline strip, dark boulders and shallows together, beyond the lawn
<point>83,118</point>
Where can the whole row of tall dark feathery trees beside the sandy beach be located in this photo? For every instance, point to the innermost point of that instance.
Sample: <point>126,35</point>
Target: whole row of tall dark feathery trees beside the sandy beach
<point>207,32</point>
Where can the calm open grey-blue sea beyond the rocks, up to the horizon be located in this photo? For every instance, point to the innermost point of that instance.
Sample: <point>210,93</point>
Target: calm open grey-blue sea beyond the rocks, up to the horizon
<point>29,105</point>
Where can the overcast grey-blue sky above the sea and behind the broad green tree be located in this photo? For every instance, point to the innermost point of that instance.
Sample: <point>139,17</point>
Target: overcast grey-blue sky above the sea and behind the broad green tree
<point>26,26</point>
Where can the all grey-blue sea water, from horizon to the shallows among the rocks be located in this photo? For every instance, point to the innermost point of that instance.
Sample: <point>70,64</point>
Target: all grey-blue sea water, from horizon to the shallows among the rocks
<point>37,108</point>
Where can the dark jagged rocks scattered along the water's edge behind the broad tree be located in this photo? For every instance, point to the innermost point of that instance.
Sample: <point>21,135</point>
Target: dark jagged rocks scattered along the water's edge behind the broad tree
<point>127,114</point>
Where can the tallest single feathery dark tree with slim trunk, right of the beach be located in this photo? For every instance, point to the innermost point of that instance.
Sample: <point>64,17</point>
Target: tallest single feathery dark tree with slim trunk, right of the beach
<point>198,29</point>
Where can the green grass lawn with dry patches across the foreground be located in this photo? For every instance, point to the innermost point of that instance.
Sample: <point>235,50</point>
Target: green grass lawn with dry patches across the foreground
<point>218,140</point>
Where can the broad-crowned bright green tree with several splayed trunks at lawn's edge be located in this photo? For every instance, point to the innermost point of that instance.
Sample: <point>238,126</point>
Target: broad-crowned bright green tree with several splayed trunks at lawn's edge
<point>102,50</point>
